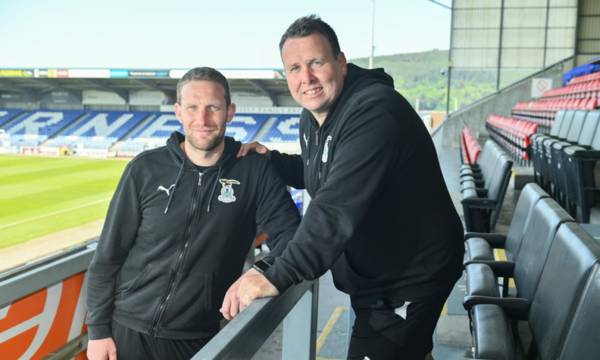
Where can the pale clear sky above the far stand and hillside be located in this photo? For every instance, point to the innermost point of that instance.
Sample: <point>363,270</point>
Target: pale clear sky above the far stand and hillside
<point>188,33</point>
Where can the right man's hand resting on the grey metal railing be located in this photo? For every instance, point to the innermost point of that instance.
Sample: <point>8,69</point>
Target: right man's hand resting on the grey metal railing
<point>249,286</point>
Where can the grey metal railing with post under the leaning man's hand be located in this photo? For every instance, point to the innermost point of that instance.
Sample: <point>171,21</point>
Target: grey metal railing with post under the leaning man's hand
<point>244,335</point>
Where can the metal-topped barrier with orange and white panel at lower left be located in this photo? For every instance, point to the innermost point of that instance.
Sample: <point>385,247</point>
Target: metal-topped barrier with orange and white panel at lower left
<point>42,305</point>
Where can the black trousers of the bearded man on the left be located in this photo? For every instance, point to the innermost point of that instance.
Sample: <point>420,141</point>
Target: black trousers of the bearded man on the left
<point>133,345</point>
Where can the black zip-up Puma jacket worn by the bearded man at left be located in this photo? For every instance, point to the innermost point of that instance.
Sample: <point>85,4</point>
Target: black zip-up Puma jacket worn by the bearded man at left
<point>176,237</point>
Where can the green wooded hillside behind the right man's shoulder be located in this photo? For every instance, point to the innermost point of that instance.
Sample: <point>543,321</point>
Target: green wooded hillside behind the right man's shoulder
<point>419,75</point>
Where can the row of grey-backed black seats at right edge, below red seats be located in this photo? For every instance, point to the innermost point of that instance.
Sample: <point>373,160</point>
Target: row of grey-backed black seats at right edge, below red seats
<point>564,161</point>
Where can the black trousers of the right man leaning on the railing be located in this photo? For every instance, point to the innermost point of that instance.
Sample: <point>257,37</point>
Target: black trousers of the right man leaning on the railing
<point>398,330</point>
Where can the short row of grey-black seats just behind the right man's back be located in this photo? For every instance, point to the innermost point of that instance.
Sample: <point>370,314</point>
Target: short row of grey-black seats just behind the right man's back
<point>483,187</point>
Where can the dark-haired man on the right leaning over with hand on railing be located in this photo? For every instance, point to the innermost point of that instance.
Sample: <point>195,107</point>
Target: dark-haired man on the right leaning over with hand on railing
<point>380,218</point>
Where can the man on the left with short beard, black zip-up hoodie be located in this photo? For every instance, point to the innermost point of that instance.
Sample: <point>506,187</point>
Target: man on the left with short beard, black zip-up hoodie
<point>178,229</point>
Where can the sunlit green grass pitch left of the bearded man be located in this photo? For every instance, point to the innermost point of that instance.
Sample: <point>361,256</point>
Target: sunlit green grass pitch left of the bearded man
<point>40,195</point>
